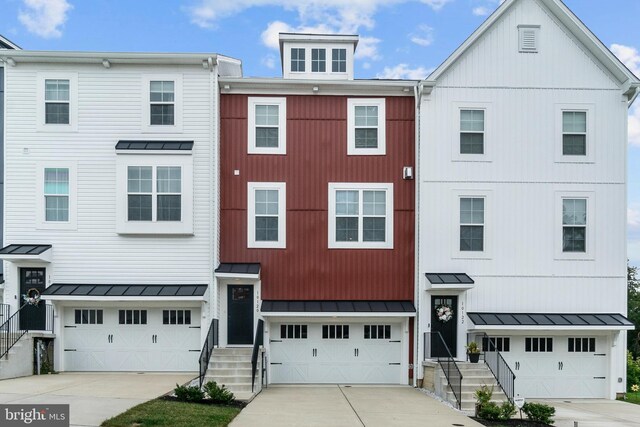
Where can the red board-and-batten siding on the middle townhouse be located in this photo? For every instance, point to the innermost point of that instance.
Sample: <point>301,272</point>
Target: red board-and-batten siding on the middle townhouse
<point>317,155</point>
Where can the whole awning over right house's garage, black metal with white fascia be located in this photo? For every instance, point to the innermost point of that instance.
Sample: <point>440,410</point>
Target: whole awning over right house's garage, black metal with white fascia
<point>550,321</point>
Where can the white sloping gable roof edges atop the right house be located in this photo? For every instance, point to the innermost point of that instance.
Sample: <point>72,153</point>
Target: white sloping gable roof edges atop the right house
<point>626,79</point>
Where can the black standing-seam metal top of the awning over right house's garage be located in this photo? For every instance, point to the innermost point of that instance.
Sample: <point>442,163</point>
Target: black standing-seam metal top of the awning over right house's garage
<point>550,319</point>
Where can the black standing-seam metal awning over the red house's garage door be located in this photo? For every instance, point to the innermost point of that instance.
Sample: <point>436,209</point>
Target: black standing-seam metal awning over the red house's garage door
<point>280,306</point>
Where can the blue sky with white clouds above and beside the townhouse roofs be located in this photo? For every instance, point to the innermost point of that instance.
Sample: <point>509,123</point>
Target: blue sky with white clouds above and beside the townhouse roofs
<point>399,38</point>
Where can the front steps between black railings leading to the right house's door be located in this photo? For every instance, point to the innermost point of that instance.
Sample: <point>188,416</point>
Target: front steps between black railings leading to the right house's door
<point>474,376</point>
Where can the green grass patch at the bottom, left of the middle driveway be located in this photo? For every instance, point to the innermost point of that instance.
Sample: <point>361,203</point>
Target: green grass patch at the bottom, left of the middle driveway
<point>159,413</point>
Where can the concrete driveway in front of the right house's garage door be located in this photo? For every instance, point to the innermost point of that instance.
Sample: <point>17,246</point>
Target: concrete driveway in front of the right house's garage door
<point>594,412</point>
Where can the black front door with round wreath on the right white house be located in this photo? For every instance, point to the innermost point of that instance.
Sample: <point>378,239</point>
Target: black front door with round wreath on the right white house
<point>447,328</point>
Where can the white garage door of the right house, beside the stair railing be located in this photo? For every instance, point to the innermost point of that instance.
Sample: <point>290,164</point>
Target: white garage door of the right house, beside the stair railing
<point>574,366</point>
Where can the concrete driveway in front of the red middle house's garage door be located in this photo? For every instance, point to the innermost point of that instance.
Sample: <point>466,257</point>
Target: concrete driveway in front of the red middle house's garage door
<point>334,406</point>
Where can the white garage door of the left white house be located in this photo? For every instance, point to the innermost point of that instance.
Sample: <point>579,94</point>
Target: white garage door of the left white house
<point>152,339</point>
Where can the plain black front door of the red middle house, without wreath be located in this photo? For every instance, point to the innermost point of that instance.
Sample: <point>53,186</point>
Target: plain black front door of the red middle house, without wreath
<point>240,314</point>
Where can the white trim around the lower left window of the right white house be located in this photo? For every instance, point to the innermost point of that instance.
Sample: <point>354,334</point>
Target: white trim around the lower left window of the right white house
<point>488,225</point>
